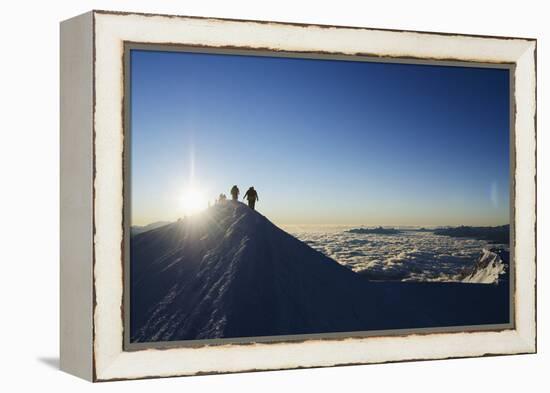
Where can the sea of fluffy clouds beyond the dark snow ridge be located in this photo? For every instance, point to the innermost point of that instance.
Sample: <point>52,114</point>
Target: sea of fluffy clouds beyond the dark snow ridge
<point>407,256</point>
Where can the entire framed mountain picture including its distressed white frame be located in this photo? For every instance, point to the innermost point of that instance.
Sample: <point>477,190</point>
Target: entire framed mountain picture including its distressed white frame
<point>245,195</point>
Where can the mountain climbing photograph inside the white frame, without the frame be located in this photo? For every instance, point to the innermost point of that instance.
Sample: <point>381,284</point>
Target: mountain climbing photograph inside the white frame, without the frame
<point>277,197</point>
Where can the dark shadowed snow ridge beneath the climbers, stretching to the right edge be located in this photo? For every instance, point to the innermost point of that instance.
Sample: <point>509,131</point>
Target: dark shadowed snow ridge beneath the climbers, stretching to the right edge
<point>230,272</point>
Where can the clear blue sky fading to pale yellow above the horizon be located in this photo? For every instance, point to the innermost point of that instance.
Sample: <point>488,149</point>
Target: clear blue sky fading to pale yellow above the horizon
<point>323,142</point>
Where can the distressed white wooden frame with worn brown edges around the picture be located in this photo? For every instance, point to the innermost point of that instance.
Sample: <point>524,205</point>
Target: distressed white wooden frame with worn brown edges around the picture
<point>92,143</point>
